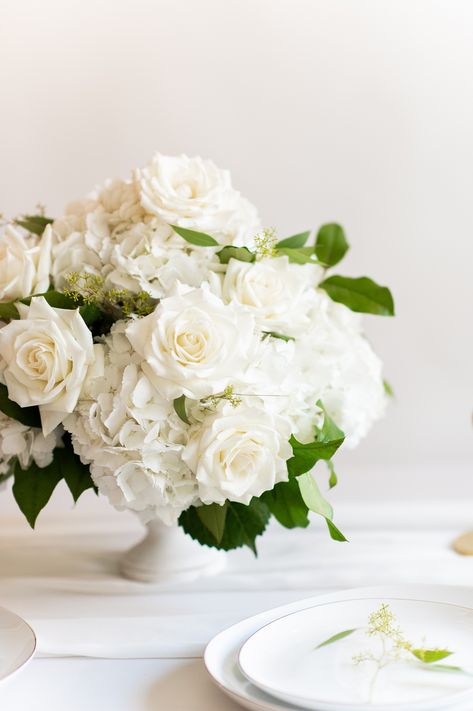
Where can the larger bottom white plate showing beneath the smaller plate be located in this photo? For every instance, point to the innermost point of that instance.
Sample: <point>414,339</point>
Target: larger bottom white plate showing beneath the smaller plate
<point>221,654</point>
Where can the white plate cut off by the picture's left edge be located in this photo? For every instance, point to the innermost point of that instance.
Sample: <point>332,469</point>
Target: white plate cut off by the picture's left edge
<point>17,643</point>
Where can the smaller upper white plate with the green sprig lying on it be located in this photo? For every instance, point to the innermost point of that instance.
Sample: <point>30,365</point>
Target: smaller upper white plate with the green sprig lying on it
<point>282,657</point>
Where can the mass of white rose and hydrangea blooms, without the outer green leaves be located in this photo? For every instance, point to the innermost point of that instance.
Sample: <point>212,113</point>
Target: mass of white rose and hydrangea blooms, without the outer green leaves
<point>195,402</point>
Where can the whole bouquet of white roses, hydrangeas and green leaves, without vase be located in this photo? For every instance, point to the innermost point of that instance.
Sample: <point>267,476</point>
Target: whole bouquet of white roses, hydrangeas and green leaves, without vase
<point>159,344</point>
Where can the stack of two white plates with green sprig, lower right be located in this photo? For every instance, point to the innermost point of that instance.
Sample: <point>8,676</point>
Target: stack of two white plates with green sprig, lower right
<point>330,654</point>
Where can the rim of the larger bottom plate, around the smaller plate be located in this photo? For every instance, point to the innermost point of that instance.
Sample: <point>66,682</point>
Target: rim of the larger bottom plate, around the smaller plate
<point>226,637</point>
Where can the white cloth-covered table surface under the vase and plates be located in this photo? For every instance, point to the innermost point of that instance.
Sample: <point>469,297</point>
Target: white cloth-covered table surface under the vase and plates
<point>62,578</point>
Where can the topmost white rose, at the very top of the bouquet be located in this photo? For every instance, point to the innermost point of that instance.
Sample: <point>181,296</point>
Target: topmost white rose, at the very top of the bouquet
<point>190,192</point>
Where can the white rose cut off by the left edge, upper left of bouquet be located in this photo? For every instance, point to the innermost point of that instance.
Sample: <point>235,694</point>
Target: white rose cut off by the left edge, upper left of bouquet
<point>24,263</point>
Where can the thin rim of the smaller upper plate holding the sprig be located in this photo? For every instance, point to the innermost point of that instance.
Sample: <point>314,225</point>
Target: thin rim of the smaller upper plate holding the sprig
<point>456,697</point>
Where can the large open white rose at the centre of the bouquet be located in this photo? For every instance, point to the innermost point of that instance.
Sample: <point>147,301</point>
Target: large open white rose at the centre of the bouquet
<point>194,344</point>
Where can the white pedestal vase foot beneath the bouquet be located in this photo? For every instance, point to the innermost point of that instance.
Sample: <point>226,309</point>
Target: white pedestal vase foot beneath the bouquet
<point>167,554</point>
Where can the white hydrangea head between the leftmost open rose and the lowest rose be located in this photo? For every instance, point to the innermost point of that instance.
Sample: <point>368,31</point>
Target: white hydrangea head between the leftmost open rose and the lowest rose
<point>132,438</point>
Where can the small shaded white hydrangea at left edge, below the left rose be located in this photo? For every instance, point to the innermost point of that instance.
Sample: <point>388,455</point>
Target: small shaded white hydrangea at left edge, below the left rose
<point>27,444</point>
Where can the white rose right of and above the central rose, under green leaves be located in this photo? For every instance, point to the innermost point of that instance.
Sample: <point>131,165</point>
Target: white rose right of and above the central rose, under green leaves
<point>277,293</point>
